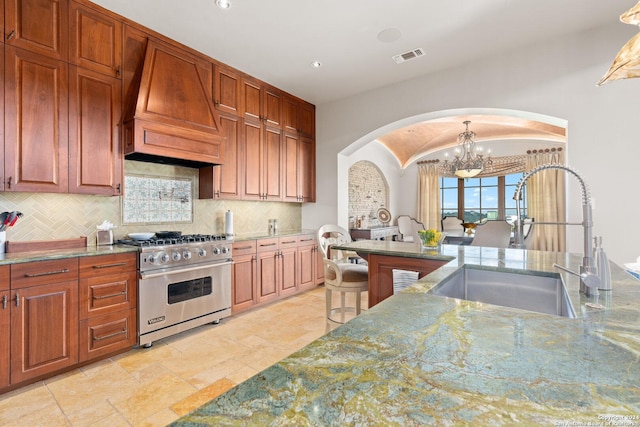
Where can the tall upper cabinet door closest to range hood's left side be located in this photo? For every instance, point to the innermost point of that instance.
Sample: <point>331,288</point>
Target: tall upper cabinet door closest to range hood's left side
<point>95,156</point>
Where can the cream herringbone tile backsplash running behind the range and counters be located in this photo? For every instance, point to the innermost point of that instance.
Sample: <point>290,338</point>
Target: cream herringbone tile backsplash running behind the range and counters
<point>60,216</point>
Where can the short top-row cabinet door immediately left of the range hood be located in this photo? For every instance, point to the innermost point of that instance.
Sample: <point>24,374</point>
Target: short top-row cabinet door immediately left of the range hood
<point>95,40</point>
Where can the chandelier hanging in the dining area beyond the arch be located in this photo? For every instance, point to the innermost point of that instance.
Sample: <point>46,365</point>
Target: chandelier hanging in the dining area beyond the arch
<point>469,162</point>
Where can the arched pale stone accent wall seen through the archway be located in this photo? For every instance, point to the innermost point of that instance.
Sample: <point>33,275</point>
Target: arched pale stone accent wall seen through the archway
<point>368,192</point>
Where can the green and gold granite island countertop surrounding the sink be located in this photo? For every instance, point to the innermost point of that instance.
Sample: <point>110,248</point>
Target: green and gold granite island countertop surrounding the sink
<point>418,359</point>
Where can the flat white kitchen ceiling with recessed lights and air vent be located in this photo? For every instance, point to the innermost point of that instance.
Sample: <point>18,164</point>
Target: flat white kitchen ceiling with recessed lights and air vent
<point>276,40</point>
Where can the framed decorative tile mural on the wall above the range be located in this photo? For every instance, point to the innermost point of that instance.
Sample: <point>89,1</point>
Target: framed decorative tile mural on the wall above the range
<point>150,199</point>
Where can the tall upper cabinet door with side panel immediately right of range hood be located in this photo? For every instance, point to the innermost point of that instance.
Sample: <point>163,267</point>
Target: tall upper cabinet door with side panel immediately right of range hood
<point>225,181</point>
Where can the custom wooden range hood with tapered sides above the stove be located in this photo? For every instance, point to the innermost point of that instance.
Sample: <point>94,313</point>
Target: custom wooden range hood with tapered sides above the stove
<point>174,120</point>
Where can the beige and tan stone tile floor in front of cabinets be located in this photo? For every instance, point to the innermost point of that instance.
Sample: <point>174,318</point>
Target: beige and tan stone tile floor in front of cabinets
<point>155,386</point>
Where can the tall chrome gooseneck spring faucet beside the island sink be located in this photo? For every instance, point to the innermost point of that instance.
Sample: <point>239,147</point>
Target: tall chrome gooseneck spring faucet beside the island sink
<point>589,279</point>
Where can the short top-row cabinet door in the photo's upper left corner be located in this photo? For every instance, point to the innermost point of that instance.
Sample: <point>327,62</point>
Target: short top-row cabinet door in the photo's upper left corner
<point>40,26</point>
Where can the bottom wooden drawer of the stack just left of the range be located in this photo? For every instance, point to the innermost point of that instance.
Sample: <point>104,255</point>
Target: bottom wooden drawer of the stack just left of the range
<point>102,335</point>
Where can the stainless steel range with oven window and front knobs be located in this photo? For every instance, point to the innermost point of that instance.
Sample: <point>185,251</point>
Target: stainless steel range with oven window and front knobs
<point>184,282</point>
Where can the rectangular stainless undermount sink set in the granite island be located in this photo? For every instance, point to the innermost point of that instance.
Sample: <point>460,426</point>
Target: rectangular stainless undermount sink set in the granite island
<point>542,294</point>
